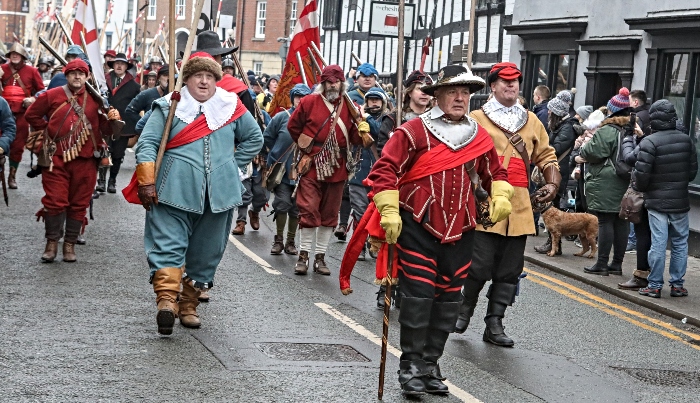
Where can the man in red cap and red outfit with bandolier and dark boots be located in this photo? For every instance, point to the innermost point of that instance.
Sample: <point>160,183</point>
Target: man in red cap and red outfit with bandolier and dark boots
<point>71,150</point>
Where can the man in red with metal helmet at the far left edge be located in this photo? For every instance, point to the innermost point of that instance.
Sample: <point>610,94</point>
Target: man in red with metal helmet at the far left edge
<point>20,83</point>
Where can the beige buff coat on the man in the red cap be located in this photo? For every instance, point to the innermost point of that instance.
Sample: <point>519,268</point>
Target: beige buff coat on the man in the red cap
<point>520,221</point>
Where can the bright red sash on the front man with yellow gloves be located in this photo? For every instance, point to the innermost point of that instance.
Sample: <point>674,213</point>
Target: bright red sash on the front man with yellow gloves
<point>438,159</point>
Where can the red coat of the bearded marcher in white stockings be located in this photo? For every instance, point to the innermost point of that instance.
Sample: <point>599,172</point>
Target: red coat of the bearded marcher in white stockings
<point>309,118</point>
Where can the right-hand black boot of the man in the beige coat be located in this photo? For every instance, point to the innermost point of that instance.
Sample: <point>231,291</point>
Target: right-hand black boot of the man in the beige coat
<point>500,295</point>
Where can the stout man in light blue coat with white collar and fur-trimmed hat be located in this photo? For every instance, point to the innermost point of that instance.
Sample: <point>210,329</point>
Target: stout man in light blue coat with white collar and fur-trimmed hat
<point>190,200</point>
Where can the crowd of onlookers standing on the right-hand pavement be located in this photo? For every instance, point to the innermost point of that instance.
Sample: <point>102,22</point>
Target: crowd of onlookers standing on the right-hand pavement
<point>602,152</point>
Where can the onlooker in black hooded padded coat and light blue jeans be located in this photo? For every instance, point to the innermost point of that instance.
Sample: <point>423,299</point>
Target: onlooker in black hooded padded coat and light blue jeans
<point>666,163</point>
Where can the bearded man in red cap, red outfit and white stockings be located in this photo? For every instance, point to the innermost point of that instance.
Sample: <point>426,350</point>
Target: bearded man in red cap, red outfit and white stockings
<point>323,128</point>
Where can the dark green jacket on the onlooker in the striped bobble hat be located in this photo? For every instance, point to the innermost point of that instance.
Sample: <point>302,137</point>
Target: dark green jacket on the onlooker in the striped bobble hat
<point>604,189</point>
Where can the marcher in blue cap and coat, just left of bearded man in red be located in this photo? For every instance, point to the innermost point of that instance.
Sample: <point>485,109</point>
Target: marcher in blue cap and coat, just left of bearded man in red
<point>281,146</point>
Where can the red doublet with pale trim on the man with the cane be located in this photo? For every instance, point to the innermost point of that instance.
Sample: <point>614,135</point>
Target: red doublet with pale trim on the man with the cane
<point>446,197</point>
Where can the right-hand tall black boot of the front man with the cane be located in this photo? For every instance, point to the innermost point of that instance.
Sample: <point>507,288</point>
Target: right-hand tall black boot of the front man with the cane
<point>442,322</point>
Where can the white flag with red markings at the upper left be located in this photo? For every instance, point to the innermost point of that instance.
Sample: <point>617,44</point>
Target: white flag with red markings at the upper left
<point>85,23</point>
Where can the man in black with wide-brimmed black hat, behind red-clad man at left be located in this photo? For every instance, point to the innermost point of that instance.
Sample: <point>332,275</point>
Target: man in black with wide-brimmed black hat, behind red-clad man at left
<point>122,89</point>
